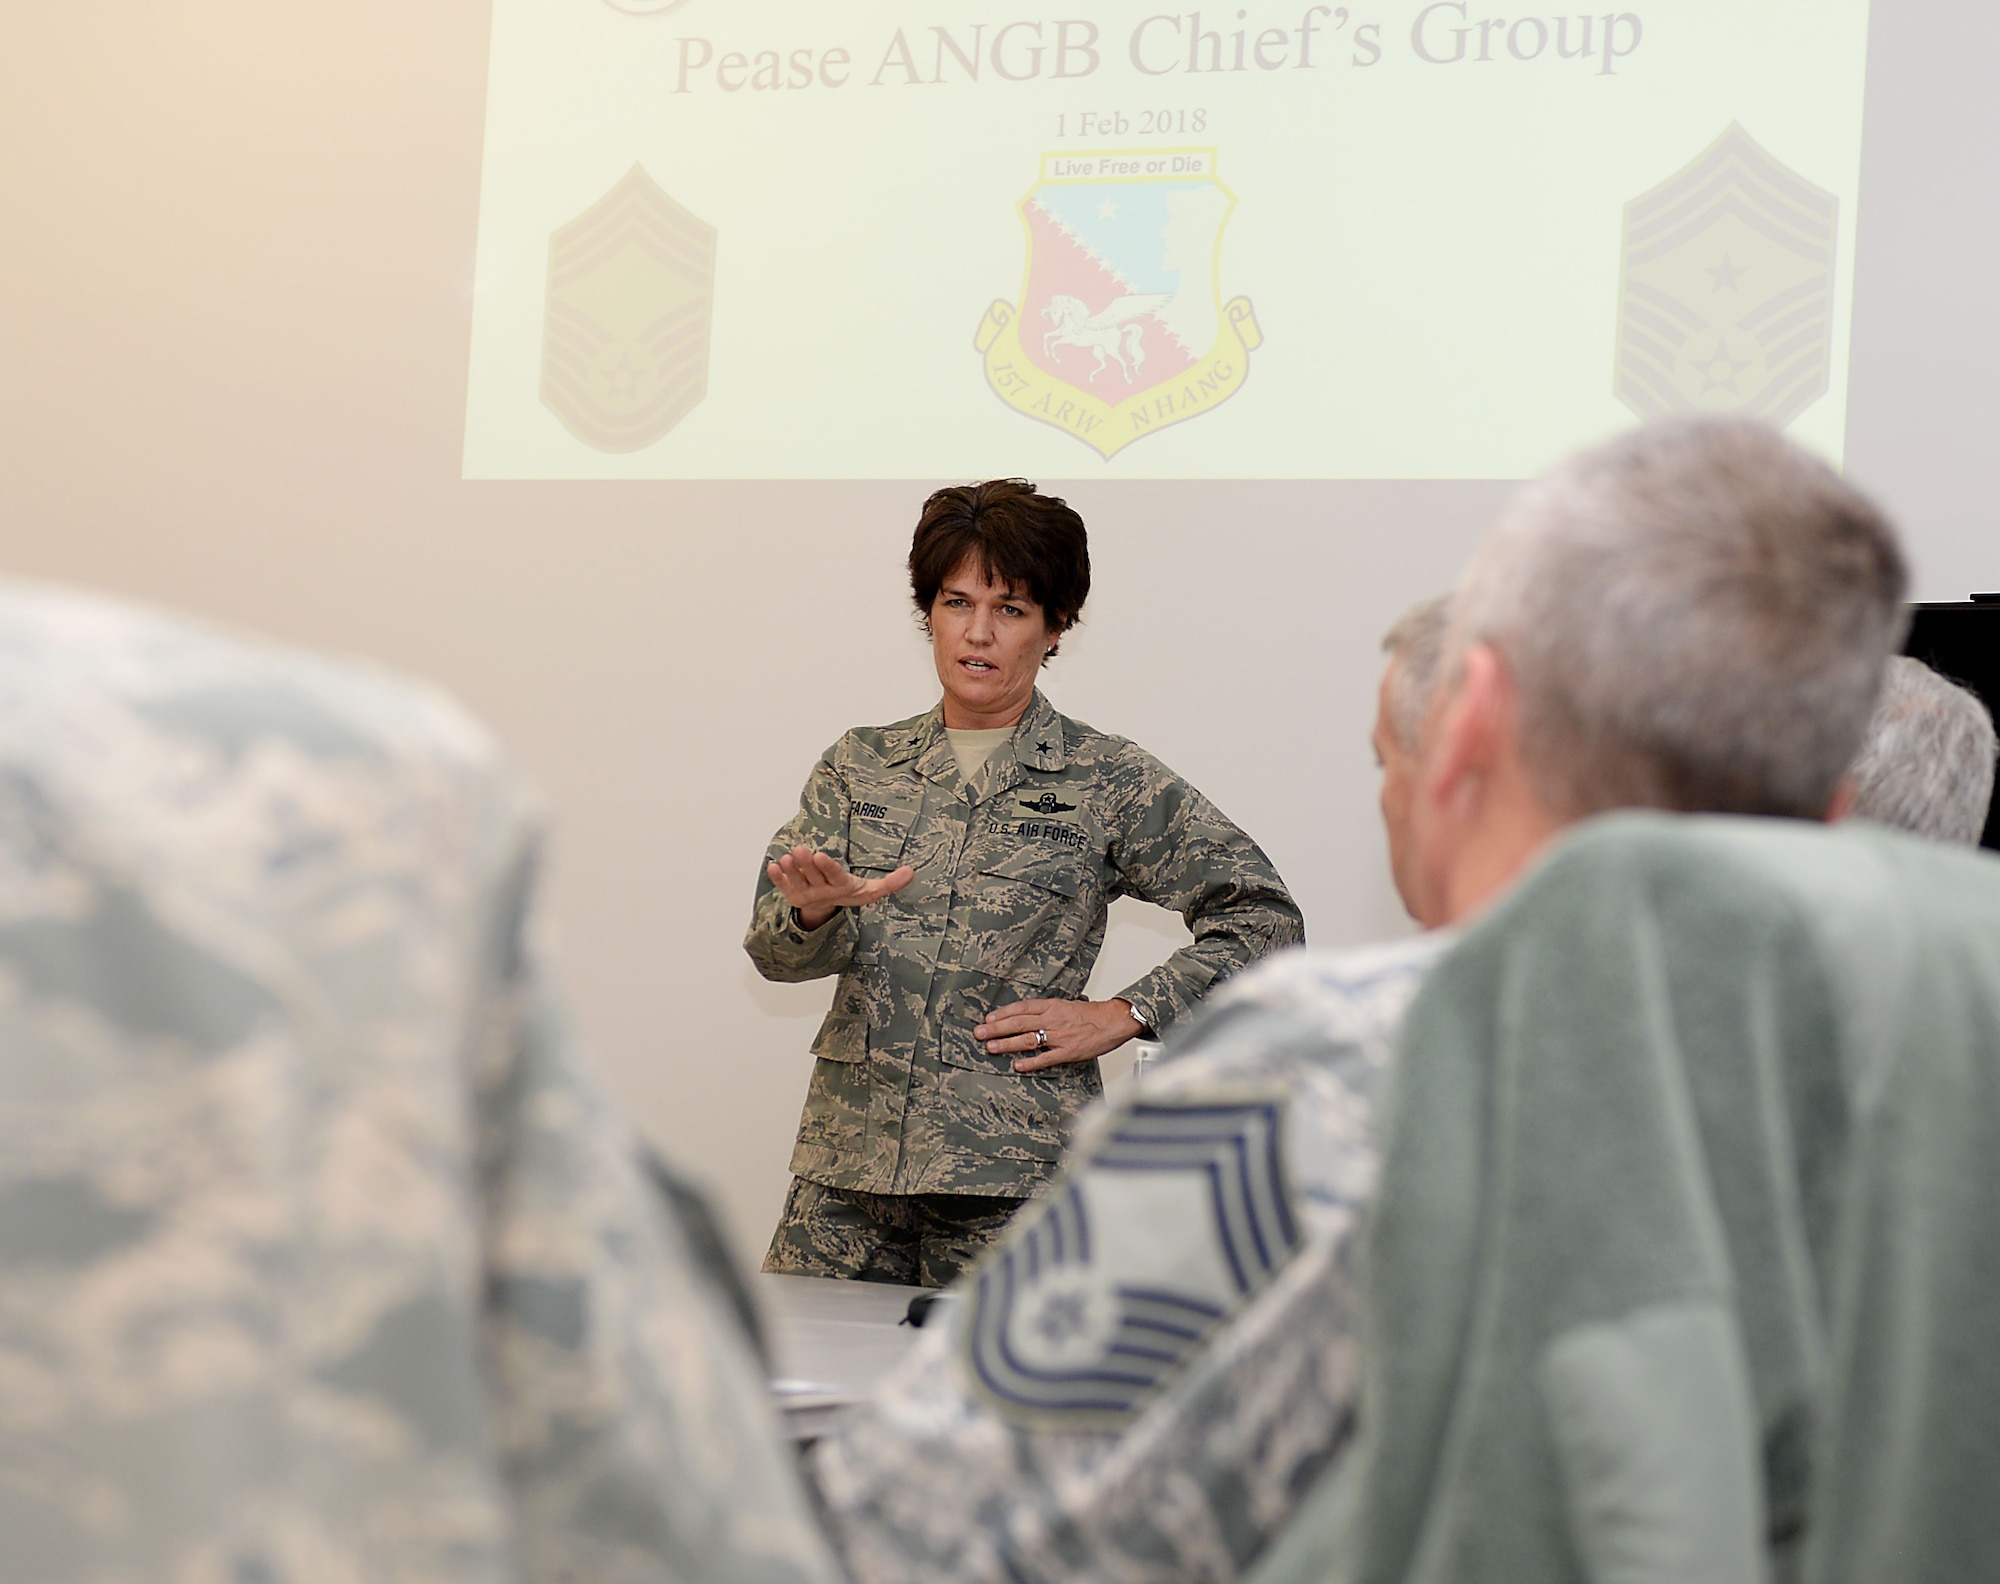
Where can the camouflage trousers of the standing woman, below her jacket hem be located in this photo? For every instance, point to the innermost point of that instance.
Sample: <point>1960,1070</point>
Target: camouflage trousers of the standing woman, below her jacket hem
<point>909,1239</point>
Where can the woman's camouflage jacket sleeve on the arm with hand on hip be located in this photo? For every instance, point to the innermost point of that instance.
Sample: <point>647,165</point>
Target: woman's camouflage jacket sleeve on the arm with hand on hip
<point>1183,853</point>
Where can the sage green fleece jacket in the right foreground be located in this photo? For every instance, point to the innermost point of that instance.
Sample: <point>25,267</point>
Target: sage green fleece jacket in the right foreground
<point>1687,1253</point>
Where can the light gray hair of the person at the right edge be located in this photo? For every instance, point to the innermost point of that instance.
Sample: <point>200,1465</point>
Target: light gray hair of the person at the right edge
<point>1929,759</point>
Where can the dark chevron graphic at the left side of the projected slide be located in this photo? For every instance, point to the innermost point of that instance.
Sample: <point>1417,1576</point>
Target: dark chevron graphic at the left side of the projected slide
<point>625,335</point>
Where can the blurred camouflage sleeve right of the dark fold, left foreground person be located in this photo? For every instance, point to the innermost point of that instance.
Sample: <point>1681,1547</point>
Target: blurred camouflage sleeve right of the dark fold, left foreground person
<point>631,1415</point>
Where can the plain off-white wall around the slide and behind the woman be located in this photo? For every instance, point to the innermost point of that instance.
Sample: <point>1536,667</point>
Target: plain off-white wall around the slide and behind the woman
<point>233,343</point>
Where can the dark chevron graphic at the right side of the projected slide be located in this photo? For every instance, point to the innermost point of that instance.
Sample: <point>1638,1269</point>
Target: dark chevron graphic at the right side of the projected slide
<point>1727,301</point>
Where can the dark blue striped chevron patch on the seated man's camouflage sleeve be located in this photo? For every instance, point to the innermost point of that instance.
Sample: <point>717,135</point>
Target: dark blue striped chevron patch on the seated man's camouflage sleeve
<point>1163,1227</point>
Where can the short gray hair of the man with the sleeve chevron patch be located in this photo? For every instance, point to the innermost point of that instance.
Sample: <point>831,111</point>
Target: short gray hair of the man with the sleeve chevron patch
<point>1695,615</point>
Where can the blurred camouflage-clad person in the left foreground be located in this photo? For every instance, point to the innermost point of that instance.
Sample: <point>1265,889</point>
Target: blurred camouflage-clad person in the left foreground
<point>321,1255</point>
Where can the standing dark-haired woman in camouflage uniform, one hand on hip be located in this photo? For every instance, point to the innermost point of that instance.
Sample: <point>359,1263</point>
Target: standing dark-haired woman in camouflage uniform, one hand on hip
<point>955,871</point>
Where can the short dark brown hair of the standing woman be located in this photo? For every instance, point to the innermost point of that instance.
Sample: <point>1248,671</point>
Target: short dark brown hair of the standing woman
<point>1023,539</point>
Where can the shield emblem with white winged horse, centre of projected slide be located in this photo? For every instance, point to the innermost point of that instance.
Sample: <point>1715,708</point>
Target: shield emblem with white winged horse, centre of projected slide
<point>1121,329</point>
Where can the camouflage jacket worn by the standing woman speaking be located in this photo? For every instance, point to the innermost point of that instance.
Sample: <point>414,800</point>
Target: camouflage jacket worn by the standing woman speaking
<point>1015,873</point>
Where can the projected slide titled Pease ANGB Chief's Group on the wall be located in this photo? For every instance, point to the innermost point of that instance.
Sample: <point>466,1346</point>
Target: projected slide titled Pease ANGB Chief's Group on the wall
<point>889,239</point>
